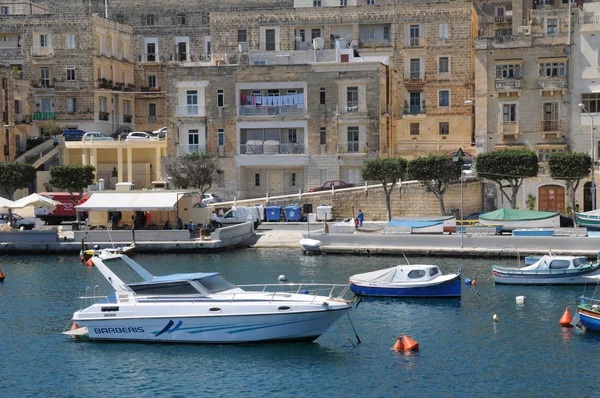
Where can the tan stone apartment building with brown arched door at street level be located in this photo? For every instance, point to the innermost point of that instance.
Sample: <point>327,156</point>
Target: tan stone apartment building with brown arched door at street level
<point>522,86</point>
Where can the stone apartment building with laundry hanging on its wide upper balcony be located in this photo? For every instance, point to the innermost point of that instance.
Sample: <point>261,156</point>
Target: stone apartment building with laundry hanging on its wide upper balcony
<point>280,128</point>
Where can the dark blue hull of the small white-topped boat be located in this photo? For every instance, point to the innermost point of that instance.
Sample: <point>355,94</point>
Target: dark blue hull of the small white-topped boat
<point>449,288</point>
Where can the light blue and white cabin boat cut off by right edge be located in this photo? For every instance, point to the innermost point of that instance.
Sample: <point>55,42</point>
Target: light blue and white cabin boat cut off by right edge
<point>548,270</point>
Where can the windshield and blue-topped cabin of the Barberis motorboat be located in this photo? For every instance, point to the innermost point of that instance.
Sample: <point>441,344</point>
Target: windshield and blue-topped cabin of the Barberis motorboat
<point>202,284</point>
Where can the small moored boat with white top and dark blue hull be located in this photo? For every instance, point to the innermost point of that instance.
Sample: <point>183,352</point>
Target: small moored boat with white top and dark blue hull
<point>407,281</point>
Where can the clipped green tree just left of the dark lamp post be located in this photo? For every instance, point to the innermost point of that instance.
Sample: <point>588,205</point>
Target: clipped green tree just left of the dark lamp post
<point>436,172</point>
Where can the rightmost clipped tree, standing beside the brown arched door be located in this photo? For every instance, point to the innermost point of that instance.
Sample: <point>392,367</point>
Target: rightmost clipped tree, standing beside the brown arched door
<point>570,167</point>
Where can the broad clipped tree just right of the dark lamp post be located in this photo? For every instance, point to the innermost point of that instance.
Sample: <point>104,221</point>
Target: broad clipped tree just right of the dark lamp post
<point>512,166</point>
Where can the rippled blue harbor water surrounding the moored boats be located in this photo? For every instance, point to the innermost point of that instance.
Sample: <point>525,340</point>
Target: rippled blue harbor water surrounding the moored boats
<point>462,351</point>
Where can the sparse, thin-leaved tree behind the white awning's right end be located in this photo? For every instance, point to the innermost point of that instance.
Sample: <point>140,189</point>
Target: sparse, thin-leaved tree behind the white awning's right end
<point>193,170</point>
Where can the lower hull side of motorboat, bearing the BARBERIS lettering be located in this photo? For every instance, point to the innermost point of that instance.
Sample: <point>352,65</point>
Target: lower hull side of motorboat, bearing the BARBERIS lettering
<point>305,326</point>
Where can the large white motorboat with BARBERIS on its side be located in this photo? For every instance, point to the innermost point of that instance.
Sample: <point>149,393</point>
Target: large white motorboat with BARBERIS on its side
<point>205,308</point>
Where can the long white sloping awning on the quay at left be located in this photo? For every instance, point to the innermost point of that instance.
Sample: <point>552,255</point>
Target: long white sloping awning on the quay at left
<point>129,201</point>
